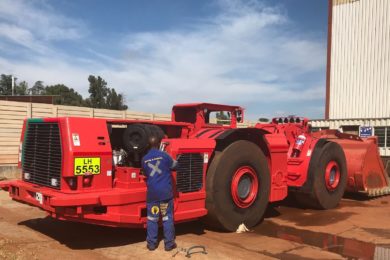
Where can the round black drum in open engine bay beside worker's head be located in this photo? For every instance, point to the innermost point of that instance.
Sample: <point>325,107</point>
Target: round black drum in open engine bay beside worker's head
<point>136,135</point>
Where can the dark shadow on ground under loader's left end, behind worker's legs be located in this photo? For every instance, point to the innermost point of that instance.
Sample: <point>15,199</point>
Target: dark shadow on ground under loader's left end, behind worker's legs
<point>86,236</point>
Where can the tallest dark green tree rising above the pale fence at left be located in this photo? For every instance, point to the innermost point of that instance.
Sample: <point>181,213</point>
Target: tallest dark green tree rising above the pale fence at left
<point>98,92</point>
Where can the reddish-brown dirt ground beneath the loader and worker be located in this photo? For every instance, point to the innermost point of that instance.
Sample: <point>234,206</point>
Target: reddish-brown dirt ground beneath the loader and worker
<point>358,228</point>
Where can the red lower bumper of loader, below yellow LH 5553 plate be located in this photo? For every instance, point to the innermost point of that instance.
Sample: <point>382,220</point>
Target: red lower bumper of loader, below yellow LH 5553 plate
<point>114,207</point>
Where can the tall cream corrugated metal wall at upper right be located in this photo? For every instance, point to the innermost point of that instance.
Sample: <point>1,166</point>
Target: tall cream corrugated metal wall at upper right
<point>359,84</point>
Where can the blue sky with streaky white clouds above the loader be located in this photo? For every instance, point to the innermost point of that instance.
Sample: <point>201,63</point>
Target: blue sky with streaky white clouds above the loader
<point>268,56</point>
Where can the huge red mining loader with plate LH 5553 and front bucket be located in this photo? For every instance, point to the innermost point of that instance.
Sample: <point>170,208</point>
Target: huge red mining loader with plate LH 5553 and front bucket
<point>88,169</point>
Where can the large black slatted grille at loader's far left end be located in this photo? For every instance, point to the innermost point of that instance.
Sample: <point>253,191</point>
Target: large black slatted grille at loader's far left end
<point>42,154</point>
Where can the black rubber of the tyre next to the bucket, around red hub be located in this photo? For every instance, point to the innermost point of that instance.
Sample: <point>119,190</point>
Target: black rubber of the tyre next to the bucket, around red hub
<point>319,196</point>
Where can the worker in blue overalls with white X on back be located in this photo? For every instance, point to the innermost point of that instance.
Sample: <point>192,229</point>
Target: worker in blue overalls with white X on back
<point>157,166</point>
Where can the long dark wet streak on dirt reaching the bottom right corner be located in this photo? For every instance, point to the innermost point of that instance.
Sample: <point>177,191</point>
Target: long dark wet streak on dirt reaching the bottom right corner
<point>349,248</point>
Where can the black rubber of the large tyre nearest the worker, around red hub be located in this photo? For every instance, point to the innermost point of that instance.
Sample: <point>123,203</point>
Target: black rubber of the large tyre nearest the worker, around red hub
<point>223,213</point>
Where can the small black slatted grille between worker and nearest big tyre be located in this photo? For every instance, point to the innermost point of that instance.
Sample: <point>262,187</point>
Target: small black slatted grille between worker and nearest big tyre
<point>189,170</point>
